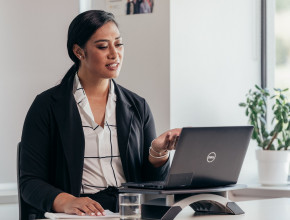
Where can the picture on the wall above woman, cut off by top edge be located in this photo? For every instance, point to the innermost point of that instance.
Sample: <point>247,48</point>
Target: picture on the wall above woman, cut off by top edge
<point>130,7</point>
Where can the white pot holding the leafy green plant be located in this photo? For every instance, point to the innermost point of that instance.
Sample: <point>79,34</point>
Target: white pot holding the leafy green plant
<point>273,166</point>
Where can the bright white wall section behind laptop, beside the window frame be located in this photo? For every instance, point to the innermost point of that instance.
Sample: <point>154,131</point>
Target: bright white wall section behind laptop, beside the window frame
<point>214,61</point>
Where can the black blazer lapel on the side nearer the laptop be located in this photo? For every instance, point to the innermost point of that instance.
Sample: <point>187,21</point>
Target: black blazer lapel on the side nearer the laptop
<point>124,116</point>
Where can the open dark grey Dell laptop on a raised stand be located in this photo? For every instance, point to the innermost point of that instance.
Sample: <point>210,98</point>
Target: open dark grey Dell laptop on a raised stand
<point>205,157</point>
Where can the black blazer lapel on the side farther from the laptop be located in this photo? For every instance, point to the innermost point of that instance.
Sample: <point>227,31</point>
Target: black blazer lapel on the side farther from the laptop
<point>71,133</point>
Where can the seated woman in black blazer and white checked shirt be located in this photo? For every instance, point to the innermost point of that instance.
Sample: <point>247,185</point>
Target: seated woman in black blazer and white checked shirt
<point>86,136</point>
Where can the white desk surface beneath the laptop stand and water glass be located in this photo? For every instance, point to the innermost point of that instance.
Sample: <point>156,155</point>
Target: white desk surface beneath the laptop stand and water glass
<point>267,209</point>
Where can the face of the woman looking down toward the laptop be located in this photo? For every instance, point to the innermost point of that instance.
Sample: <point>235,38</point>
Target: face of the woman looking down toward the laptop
<point>103,53</point>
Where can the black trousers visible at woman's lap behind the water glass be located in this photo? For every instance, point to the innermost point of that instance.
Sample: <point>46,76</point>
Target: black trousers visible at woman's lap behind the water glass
<point>108,198</point>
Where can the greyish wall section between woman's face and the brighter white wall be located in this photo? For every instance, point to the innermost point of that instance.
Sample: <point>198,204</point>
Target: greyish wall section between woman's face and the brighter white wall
<point>145,69</point>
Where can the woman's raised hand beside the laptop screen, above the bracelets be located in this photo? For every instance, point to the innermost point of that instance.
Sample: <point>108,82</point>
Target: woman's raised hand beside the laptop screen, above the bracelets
<point>166,141</point>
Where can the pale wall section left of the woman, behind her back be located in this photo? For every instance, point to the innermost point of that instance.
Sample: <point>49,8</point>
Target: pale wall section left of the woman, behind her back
<point>33,58</point>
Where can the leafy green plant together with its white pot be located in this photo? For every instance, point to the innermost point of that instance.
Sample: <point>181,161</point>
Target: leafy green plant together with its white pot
<point>274,140</point>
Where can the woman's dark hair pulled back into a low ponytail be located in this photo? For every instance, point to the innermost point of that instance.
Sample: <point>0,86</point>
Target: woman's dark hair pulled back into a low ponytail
<point>81,29</point>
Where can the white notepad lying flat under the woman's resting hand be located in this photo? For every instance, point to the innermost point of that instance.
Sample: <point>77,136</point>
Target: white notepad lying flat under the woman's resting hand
<point>56,216</point>
